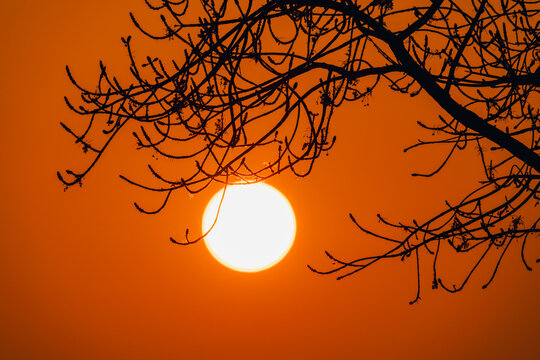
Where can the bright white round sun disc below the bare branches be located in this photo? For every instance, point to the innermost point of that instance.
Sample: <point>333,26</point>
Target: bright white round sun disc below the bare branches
<point>255,227</point>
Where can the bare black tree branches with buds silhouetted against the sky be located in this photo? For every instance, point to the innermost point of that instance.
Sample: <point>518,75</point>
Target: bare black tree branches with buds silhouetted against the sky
<point>261,80</point>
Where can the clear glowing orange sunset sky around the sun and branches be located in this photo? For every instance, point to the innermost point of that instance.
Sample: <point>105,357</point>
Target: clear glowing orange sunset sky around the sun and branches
<point>83,275</point>
